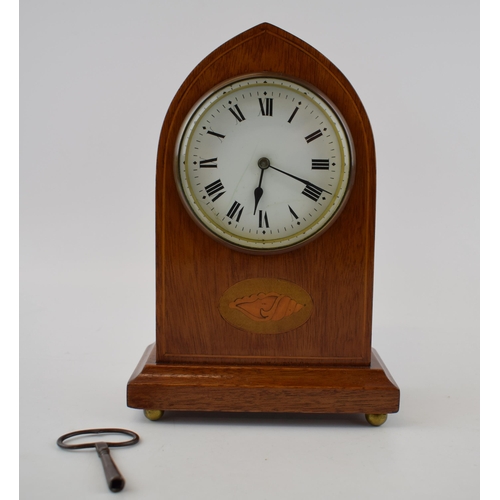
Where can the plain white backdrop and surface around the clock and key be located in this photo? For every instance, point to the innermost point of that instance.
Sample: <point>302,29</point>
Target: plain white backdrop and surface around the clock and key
<point>97,78</point>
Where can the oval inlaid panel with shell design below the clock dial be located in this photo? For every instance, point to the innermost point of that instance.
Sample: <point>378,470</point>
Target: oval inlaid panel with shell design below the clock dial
<point>266,305</point>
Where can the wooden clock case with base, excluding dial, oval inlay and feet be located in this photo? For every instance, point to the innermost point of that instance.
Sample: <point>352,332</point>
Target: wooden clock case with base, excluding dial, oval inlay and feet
<point>202,362</point>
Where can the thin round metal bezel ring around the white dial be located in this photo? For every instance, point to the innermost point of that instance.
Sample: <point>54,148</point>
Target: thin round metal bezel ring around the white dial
<point>241,247</point>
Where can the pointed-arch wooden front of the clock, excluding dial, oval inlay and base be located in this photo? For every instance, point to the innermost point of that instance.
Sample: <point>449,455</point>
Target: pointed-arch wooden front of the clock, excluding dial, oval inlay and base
<point>193,270</point>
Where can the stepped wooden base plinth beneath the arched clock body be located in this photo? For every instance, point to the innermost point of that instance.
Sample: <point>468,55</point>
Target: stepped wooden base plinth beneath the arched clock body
<point>160,386</point>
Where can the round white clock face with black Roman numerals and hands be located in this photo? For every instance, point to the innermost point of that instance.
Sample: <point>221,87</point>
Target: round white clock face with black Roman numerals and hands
<point>264,163</point>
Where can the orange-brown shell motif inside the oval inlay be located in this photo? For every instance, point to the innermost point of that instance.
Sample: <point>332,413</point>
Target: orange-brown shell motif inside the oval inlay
<point>266,306</point>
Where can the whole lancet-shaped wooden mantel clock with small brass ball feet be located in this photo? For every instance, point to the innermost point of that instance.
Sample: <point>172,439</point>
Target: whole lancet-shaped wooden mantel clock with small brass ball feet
<point>265,215</point>
